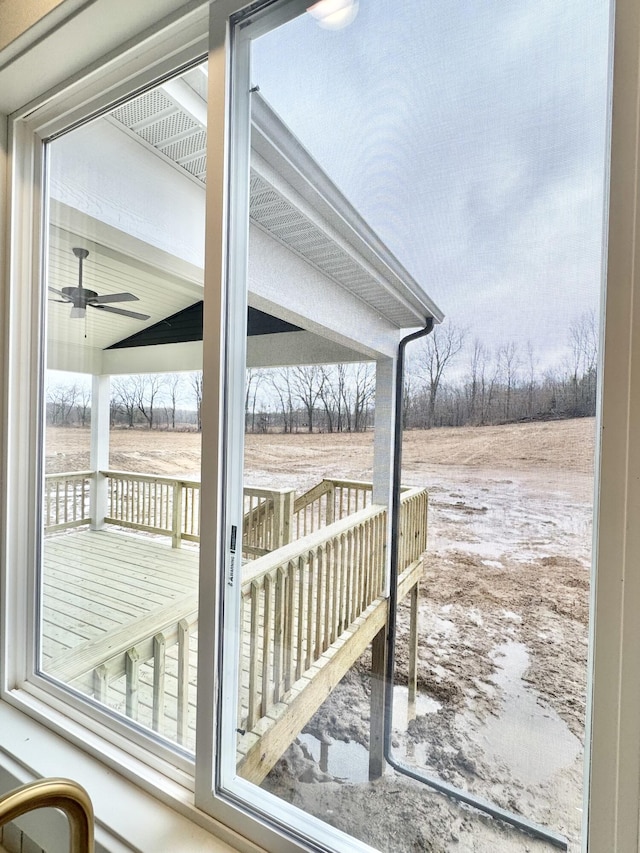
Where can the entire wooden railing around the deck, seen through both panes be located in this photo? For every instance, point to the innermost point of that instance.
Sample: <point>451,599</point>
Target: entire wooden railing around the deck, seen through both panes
<point>296,601</point>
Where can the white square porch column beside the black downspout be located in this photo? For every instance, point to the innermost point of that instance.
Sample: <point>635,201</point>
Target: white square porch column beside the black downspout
<point>383,440</point>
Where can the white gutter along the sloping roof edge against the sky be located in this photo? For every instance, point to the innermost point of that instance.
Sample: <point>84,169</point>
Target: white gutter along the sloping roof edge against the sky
<point>277,146</point>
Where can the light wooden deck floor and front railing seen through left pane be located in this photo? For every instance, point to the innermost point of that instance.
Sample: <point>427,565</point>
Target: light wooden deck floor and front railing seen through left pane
<point>107,592</point>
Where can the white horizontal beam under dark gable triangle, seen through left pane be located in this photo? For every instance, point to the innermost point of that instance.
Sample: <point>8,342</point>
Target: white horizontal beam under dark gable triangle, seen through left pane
<point>159,358</point>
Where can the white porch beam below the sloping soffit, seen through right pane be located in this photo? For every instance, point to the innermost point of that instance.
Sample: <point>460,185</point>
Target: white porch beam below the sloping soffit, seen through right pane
<point>285,285</point>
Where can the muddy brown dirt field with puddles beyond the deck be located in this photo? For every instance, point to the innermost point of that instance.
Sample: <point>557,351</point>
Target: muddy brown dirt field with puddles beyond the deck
<point>503,630</point>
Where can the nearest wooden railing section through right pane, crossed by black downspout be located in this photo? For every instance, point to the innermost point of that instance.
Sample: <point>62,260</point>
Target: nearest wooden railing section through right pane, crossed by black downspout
<point>297,601</point>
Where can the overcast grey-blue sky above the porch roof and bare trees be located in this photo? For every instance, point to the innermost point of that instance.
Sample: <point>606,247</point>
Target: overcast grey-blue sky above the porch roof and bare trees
<point>471,134</point>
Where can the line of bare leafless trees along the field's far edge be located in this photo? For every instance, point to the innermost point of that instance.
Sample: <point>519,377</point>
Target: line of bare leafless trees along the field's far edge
<point>450,380</point>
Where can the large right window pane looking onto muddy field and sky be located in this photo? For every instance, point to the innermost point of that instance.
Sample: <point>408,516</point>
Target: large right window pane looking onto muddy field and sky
<point>403,154</point>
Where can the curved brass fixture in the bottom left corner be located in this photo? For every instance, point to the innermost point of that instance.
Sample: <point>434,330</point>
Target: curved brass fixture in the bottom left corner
<point>58,794</point>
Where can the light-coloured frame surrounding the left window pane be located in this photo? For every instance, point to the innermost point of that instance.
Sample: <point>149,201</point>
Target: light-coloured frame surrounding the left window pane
<point>115,744</point>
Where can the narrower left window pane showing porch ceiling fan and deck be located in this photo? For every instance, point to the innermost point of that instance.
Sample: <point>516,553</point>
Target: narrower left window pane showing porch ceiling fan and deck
<point>119,569</point>
